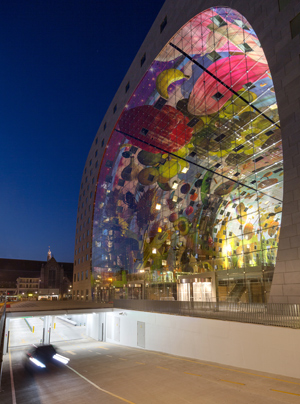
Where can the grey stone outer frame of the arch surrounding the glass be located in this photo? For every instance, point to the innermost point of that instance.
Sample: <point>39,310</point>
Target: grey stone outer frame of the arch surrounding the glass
<point>273,29</point>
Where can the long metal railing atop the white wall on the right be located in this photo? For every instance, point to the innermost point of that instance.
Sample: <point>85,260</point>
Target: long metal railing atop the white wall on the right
<point>273,314</point>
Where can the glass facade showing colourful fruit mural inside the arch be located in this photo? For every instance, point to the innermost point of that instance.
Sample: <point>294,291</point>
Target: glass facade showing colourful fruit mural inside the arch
<point>191,181</point>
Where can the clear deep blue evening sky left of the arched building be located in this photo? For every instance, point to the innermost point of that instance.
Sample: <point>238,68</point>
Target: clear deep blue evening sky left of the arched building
<point>61,63</point>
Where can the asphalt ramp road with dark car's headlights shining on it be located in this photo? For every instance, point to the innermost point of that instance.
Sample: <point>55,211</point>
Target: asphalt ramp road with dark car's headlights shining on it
<point>105,373</point>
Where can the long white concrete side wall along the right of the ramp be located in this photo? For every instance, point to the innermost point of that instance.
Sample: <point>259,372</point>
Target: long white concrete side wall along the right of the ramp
<point>250,346</point>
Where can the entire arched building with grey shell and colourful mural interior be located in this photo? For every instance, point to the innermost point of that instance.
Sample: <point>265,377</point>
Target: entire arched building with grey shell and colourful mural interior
<point>184,184</point>
